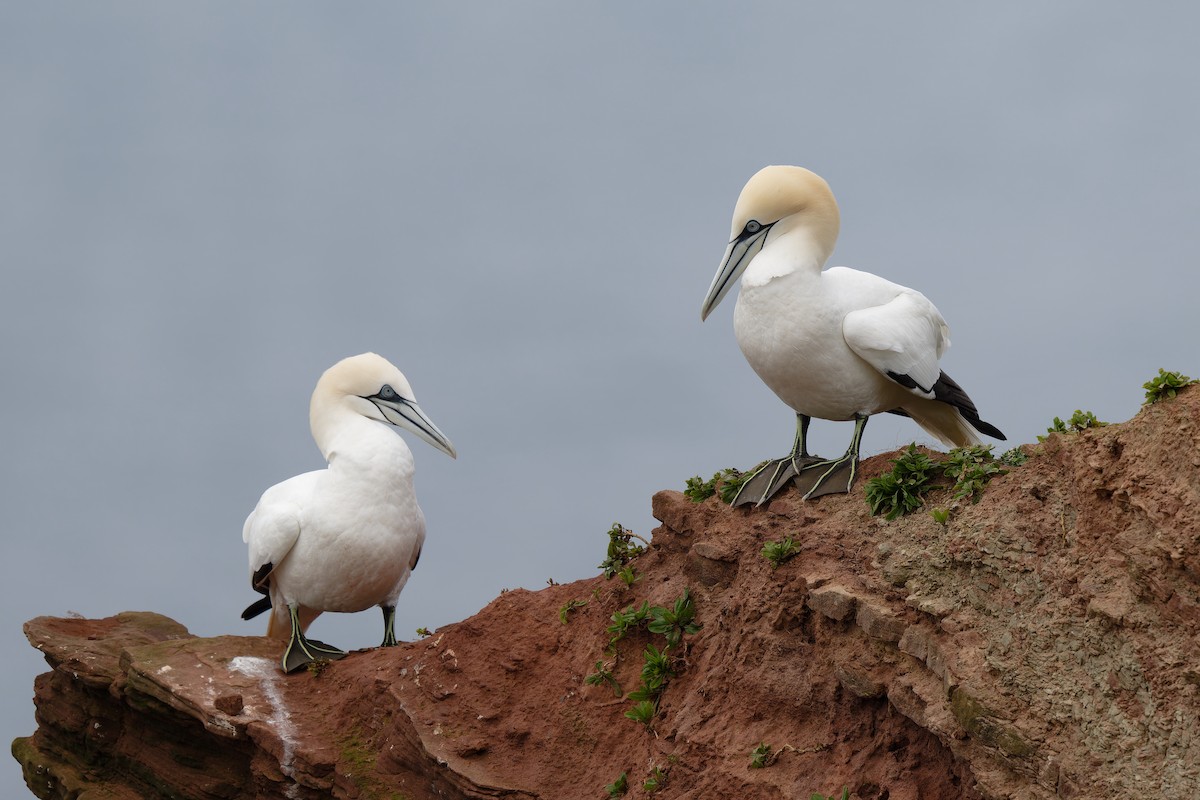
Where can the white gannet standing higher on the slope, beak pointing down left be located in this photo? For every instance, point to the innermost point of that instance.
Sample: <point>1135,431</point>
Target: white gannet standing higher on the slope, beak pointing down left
<point>835,345</point>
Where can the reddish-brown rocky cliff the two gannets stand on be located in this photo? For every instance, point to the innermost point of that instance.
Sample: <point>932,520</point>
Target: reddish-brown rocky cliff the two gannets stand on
<point>1042,643</point>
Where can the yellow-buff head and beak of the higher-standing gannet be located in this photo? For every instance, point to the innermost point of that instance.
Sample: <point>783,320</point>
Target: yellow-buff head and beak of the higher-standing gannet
<point>776,202</point>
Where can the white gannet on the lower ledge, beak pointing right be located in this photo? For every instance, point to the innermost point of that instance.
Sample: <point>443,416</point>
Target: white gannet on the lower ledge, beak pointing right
<point>345,538</point>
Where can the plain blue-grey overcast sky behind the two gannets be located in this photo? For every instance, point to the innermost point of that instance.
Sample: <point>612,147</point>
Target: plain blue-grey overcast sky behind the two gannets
<point>521,206</point>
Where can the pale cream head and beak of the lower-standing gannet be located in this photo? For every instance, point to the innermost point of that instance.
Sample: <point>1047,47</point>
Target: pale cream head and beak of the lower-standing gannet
<point>371,387</point>
